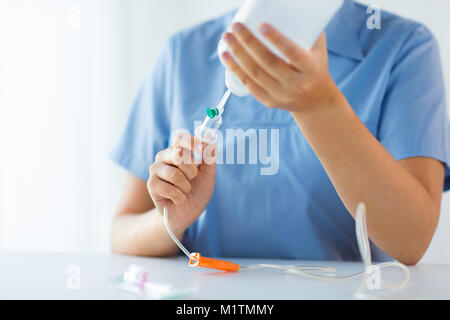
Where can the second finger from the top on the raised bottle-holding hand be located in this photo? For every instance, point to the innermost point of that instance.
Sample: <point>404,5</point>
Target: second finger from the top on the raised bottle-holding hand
<point>276,66</point>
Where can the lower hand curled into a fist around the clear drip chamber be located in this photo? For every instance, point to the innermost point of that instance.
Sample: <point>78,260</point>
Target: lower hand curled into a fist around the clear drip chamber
<point>176,182</point>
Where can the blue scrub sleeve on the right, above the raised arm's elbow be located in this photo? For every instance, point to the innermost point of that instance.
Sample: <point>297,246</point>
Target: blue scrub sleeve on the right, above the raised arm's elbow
<point>414,120</point>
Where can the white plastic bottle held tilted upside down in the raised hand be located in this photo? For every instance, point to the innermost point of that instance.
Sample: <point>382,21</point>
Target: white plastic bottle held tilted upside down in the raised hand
<point>300,20</point>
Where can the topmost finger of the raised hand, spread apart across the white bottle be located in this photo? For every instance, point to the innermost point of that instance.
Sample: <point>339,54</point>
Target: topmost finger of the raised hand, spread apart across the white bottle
<point>298,56</point>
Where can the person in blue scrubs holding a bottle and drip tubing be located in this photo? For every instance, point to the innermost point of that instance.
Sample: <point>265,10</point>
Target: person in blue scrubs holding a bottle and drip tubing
<point>359,118</point>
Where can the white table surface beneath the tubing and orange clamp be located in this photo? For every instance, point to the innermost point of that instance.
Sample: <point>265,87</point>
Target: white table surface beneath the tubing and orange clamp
<point>44,276</point>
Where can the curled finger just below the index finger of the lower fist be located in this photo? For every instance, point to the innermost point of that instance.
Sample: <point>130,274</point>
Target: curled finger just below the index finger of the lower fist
<point>181,158</point>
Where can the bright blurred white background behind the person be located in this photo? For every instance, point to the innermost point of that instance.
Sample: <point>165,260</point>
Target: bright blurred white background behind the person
<point>69,71</point>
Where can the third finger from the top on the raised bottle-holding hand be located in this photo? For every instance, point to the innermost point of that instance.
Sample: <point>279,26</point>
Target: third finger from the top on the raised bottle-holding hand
<point>249,65</point>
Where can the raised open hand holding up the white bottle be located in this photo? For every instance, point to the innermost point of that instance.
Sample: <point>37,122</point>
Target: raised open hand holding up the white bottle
<point>303,83</point>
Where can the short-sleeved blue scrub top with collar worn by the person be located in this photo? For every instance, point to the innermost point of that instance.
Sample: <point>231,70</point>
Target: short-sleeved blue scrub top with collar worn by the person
<point>393,80</point>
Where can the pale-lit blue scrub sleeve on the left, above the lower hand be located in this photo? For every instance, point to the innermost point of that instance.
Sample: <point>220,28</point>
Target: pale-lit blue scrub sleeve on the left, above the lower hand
<point>147,130</point>
